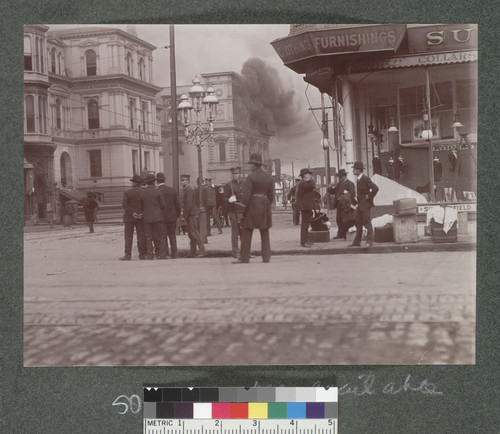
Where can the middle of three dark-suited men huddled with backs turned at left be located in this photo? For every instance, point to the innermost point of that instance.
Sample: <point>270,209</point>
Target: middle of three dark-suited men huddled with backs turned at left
<point>153,206</point>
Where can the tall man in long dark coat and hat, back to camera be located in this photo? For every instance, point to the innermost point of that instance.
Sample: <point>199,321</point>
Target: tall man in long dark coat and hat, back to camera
<point>258,195</point>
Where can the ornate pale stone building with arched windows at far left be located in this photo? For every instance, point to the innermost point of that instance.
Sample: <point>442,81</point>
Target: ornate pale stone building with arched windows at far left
<point>90,115</point>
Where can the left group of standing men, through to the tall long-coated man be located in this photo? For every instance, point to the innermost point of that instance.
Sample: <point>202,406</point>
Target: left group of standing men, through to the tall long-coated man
<point>153,210</point>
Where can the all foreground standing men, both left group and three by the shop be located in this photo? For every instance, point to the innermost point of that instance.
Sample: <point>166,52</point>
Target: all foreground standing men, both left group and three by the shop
<point>154,210</point>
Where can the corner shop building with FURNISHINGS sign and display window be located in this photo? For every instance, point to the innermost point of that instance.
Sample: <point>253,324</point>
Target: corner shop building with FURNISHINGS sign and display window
<point>394,84</point>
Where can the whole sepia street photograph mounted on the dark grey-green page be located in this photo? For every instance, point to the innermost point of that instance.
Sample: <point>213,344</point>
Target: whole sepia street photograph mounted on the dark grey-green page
<point>275,194</point>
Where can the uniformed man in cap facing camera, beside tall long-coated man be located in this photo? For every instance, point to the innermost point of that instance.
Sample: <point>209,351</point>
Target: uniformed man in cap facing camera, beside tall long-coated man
<point>233,193</point>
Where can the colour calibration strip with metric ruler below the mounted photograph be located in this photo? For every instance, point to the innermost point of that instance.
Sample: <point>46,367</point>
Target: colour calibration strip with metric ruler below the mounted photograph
<point>240,410</point>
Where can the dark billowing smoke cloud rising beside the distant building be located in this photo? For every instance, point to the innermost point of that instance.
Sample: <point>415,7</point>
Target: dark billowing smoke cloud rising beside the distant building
<point>260,99</point>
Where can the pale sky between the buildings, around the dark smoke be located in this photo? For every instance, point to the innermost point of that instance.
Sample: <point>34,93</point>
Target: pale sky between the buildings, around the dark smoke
<point>219,48</point>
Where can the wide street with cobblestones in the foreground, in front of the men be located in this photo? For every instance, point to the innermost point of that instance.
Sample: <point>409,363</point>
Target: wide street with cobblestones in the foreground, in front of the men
<point>83,307</point>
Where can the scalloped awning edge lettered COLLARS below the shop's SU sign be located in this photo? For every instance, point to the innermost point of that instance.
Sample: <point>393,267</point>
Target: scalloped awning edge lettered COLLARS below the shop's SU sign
<point>425,59</point>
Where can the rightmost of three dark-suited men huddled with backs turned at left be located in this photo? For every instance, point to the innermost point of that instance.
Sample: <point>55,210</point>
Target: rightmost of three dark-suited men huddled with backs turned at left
<point>171,213</point>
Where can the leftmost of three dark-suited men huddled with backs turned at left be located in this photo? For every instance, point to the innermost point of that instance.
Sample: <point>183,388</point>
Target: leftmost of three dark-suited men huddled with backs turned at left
<point>132,218</point>
